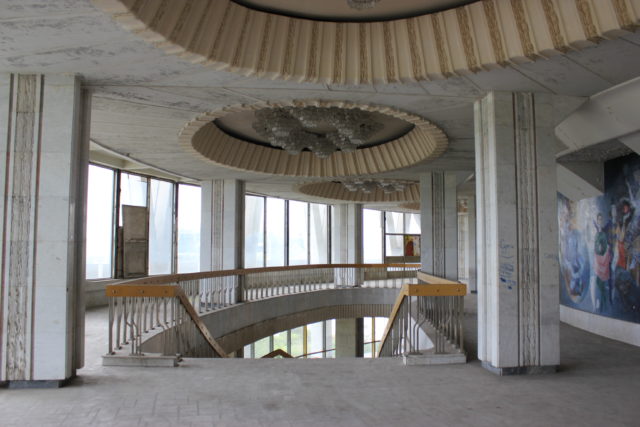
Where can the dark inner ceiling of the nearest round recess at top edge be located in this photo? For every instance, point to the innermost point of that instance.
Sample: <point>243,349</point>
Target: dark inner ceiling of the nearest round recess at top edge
<point>339,10</point>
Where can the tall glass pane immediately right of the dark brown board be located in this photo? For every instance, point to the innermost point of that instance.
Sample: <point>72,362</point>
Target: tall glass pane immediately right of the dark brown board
<point>161,227</point>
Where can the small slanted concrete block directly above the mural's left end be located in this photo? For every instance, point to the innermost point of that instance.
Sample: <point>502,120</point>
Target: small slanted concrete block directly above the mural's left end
<point>580,180</point>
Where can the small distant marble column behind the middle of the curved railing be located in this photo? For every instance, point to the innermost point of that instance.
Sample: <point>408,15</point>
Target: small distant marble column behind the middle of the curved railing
<point>346,241</point>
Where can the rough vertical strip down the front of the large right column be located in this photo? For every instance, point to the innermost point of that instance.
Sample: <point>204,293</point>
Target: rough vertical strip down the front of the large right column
<point>527,220</point>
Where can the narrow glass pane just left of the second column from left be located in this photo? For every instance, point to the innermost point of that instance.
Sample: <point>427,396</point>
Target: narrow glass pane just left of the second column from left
<point>188,228</point>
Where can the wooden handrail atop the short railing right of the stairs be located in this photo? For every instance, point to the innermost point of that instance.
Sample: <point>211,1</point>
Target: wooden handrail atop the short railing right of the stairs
<point>434,287</point>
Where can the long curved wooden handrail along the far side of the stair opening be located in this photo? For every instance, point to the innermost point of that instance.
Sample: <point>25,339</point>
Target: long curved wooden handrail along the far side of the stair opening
<point>170,278</point>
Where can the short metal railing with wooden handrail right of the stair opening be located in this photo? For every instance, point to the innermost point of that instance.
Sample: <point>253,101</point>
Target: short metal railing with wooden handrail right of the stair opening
<point>433,309</point>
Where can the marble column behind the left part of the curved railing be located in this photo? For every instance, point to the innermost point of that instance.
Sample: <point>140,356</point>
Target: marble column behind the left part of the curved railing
<point>222,232</point>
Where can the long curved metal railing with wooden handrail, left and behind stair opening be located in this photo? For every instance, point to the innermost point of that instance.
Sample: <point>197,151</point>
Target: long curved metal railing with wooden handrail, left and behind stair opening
<point>172,305</point>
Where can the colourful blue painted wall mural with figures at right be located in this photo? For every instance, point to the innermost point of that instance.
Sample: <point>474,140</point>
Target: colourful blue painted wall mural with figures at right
<point>600,245</point>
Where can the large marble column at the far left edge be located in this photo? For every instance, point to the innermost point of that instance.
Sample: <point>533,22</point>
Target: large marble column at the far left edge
<point>44,123</point>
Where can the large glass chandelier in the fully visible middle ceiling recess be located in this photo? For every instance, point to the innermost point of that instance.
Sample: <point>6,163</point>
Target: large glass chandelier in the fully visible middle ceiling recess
<point>320,130</point>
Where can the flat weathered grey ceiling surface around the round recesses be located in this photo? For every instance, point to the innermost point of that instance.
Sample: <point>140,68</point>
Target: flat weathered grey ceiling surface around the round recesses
<point>142,97</point>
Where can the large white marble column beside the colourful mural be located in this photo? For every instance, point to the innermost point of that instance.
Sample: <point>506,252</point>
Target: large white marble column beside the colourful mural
<point>517,240</point>
